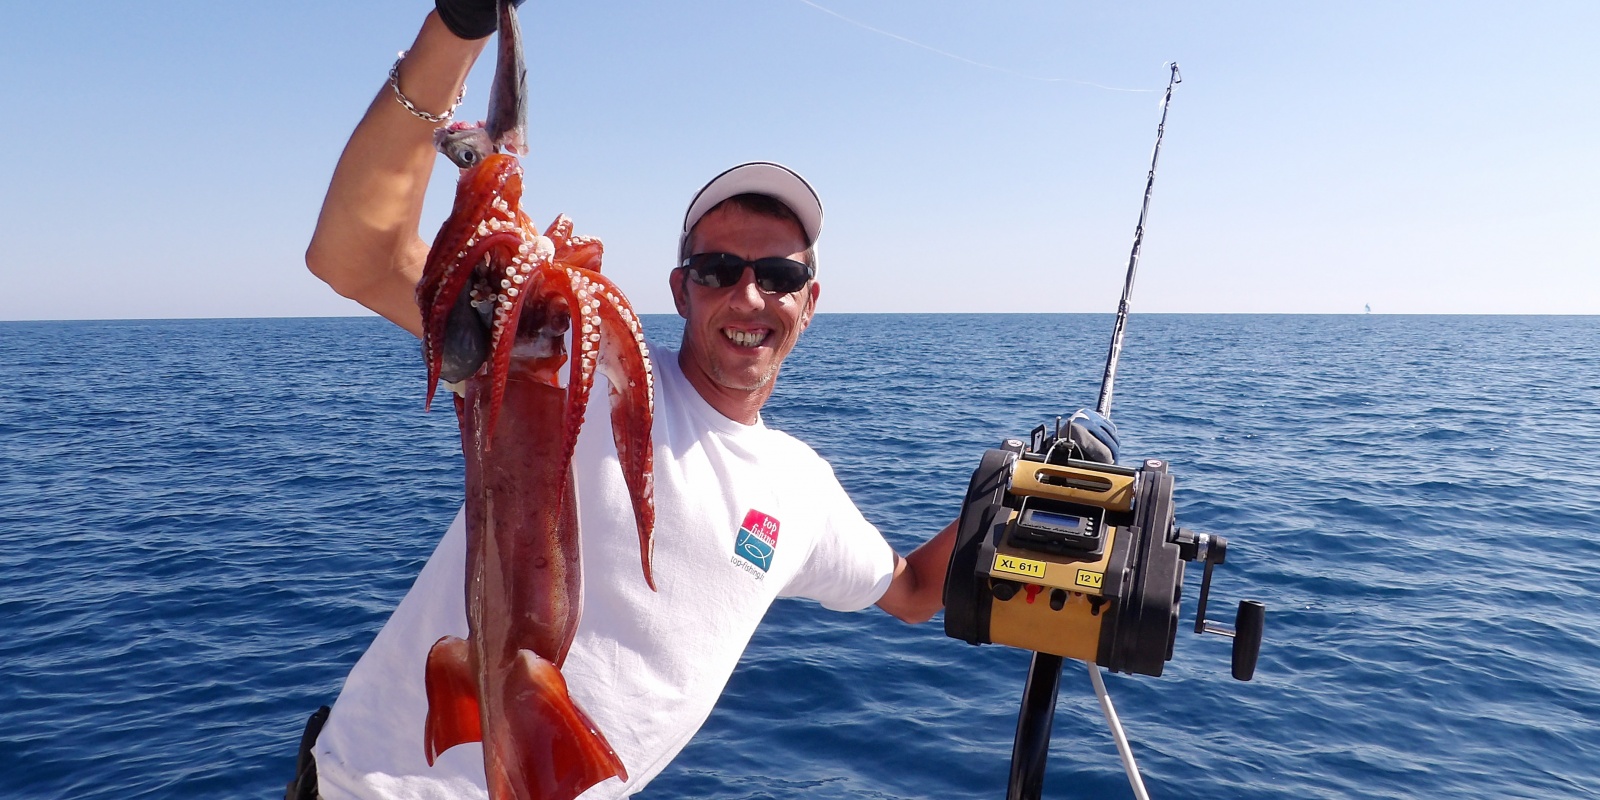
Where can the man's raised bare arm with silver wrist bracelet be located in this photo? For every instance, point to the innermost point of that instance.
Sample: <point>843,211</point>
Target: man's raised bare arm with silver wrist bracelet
<point>367,244</point>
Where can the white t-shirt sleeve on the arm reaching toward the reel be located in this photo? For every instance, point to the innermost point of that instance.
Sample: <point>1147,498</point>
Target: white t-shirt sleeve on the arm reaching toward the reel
<point>850,564</point>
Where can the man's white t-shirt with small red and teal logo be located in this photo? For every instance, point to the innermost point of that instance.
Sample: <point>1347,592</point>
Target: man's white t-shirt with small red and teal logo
<point>745,514</point>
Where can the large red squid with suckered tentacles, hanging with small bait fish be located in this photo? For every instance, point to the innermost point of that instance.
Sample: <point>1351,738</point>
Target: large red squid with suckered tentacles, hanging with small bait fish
<point>498,303</point>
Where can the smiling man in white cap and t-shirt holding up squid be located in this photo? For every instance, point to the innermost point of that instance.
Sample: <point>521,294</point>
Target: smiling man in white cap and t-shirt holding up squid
<point>647,666</point>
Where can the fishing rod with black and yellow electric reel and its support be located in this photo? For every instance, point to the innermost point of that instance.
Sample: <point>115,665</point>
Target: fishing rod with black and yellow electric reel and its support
<point>1074,559</point>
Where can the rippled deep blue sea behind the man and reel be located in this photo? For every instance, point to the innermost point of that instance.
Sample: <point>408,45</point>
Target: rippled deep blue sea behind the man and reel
<point>206,522</point>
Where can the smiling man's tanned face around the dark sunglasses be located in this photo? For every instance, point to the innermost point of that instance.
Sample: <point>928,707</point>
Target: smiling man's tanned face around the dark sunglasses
<point>737,337</point>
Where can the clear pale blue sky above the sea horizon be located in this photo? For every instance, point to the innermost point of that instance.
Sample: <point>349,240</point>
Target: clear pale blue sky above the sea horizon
<point>169,159</point>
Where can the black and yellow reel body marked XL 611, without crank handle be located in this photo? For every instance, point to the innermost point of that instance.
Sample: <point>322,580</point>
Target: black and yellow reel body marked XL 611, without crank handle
<point>1078,559</point>
